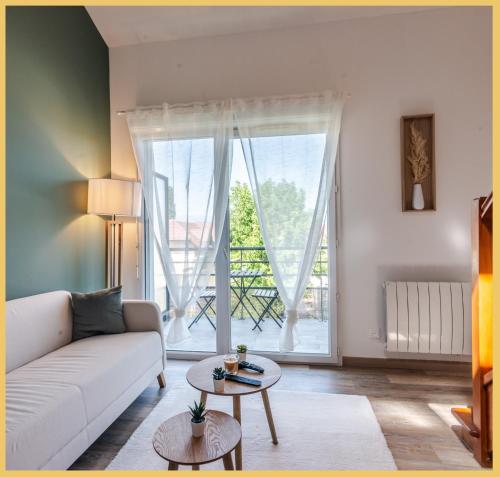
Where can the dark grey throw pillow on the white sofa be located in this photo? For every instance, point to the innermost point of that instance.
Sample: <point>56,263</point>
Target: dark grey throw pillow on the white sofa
<point>97,313</point>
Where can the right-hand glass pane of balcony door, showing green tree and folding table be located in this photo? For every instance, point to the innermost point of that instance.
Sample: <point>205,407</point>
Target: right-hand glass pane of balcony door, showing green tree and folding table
<point>257,311</point>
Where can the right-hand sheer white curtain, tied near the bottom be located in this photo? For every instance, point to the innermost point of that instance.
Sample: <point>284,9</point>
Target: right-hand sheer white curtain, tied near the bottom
<point>290,146</point>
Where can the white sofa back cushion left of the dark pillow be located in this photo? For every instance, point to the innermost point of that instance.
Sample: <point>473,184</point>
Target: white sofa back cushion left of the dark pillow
<point>36,325</point>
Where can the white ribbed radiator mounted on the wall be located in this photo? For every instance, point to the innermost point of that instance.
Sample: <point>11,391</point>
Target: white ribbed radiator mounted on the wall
<point>428,317</point>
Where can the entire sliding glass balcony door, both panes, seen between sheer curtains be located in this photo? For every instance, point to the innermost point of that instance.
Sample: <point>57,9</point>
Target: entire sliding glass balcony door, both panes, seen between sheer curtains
<point>241,304</point>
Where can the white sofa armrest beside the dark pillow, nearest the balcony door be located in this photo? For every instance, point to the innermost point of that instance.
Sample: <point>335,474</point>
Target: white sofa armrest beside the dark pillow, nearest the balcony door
<point>141,315</point>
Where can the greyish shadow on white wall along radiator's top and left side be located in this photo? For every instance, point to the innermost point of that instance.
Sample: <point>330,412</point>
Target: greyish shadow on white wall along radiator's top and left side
<point>417,273</point>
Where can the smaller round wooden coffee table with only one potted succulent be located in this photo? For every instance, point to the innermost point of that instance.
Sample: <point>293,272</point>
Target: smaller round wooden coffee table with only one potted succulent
<point>174,441</point>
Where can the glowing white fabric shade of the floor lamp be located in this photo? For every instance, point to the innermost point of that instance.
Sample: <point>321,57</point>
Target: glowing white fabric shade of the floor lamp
<point>114,197</point>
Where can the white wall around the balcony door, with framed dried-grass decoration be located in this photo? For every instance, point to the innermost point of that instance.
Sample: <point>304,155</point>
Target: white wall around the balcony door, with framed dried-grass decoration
<point>438,61</point>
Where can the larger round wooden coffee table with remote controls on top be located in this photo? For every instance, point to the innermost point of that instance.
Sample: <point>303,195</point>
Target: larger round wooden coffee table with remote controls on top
<point>200,377</point>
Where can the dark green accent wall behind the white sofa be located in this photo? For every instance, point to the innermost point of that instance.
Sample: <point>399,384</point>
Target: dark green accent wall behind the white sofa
<point>58,136</point>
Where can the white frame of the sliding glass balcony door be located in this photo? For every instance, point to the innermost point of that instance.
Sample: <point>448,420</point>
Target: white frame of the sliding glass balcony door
<point>223,292</point>
